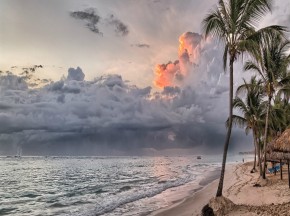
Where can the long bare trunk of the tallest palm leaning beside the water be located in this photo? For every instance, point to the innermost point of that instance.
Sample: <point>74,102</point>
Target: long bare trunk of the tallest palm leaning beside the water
<point>226,146</point>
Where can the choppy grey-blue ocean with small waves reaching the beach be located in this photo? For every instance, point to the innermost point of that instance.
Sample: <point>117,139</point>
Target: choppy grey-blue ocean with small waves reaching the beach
<point>102,185</point>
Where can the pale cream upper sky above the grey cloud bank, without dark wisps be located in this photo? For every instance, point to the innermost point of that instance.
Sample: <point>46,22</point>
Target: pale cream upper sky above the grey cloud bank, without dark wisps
<point>70,36</point>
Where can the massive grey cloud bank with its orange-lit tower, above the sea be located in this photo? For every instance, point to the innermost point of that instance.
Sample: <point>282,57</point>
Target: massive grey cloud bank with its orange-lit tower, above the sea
<point>76,116</point>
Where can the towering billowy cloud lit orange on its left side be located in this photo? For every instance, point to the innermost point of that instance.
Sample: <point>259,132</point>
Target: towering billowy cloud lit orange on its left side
<point>195,57</point>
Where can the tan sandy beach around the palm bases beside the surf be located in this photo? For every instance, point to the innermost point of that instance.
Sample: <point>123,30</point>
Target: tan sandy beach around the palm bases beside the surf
<point>273,198</point>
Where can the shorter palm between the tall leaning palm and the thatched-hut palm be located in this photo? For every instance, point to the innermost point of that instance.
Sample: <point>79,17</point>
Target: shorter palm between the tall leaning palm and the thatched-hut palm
<point>251,109</point>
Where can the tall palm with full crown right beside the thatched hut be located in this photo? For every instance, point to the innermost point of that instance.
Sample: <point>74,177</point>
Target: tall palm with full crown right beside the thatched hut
<point>271,65</point>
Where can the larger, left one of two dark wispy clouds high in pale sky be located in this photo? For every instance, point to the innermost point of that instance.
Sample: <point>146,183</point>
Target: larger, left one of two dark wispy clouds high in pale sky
<point>92,19</point>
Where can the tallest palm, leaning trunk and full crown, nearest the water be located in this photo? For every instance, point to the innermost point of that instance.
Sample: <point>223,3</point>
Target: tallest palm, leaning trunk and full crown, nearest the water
<point>233,23</point>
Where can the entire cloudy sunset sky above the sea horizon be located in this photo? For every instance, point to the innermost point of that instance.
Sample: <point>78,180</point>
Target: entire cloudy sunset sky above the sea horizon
<point>114,77</point>
